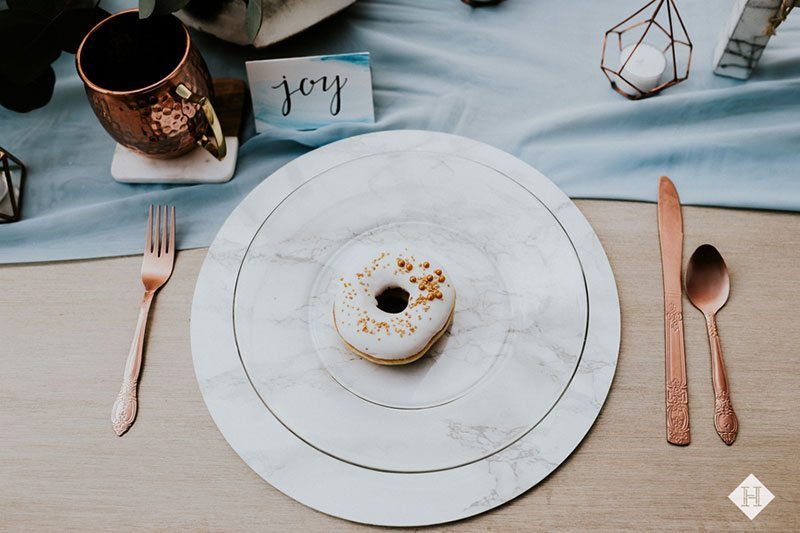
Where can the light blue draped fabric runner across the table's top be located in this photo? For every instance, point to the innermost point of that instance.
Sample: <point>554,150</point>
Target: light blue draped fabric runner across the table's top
<point>523,76</point>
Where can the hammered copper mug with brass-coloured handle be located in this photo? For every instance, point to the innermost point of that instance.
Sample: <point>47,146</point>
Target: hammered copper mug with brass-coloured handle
<point>149,86</point>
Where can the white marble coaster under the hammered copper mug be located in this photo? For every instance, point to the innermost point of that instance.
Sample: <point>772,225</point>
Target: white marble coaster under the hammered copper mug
<point>198,166</point>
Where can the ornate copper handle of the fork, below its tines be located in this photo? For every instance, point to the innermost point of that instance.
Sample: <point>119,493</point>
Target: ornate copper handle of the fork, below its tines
<point>124,411</point>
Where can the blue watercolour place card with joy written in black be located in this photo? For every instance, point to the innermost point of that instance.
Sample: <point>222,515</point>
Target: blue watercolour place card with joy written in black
<point>305,93</point>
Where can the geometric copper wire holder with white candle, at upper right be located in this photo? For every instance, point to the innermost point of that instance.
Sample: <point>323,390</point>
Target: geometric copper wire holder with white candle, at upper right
<point>642,57</point>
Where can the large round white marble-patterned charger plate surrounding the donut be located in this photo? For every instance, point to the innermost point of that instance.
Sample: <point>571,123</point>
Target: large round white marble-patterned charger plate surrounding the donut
<point>495,406</point>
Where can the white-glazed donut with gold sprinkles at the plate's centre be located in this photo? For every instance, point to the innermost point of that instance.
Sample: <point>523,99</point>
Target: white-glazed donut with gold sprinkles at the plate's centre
<point>393,307</point>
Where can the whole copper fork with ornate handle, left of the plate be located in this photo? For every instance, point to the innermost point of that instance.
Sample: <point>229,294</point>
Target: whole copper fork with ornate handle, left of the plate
<point>159,256</point>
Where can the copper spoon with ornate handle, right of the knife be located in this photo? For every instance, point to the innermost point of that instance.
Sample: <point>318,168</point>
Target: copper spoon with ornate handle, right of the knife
<point>708,286</point>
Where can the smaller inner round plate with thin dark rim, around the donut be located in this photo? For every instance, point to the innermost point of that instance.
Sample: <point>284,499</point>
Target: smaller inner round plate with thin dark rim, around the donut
<point>530,288</point>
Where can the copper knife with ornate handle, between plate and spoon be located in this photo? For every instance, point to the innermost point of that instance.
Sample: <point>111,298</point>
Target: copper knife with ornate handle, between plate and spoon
<point>670,232</point>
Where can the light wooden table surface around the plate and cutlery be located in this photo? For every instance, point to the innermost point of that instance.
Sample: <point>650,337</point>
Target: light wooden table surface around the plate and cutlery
<point>66,328</point>
